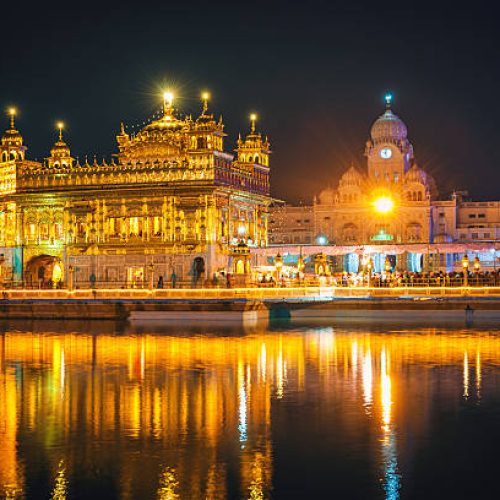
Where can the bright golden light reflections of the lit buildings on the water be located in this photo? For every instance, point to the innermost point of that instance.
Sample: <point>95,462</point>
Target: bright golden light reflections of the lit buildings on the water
<point>153,391</point>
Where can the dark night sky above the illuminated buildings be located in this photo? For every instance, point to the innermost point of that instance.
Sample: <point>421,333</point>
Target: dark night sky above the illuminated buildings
<point>315,72</point>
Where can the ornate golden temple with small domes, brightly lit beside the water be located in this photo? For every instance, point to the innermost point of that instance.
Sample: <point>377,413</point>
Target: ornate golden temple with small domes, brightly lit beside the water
<point>172,200</point>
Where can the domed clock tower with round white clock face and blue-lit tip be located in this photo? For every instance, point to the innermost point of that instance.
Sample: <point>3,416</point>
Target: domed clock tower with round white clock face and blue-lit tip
<point>389,152</point>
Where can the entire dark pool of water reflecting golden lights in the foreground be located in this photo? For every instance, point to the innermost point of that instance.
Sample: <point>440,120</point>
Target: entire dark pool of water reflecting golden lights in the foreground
<point>385,412</point>
